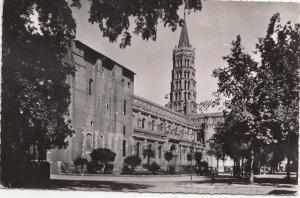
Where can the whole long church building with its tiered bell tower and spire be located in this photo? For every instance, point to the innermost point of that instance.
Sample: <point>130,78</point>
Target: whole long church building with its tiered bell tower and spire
<point>105,112</point>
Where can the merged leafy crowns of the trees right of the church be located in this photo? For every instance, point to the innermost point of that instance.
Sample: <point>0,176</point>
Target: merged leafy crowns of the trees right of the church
<point>263,96</point>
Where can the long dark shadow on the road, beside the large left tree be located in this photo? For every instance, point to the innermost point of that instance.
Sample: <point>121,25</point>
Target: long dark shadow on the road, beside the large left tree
<point>96,185</point>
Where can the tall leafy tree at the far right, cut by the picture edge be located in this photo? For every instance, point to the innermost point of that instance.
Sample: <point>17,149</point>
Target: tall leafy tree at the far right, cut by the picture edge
<point>279,84</point>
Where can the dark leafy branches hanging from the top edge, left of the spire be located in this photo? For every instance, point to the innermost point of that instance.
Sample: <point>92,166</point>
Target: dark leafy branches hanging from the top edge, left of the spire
<point>113,17</point>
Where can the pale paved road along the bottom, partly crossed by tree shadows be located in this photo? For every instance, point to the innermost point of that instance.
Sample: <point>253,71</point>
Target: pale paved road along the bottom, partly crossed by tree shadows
<point>168,184</point>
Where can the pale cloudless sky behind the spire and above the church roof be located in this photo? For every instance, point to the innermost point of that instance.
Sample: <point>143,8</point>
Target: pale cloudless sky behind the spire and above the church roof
<point>210,33</point>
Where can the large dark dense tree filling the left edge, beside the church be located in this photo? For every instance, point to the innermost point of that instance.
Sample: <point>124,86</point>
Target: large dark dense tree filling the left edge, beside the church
<point>35,95</point>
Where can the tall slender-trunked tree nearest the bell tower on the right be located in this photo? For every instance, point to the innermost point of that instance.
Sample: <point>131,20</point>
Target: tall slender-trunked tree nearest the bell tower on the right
<point>237,82</point>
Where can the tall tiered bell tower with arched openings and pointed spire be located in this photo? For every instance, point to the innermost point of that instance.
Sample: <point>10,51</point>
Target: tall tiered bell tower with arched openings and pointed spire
<point>183,84</point>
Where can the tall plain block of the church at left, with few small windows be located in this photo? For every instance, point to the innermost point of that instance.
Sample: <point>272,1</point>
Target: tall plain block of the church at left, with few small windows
<point>99,90</point>
